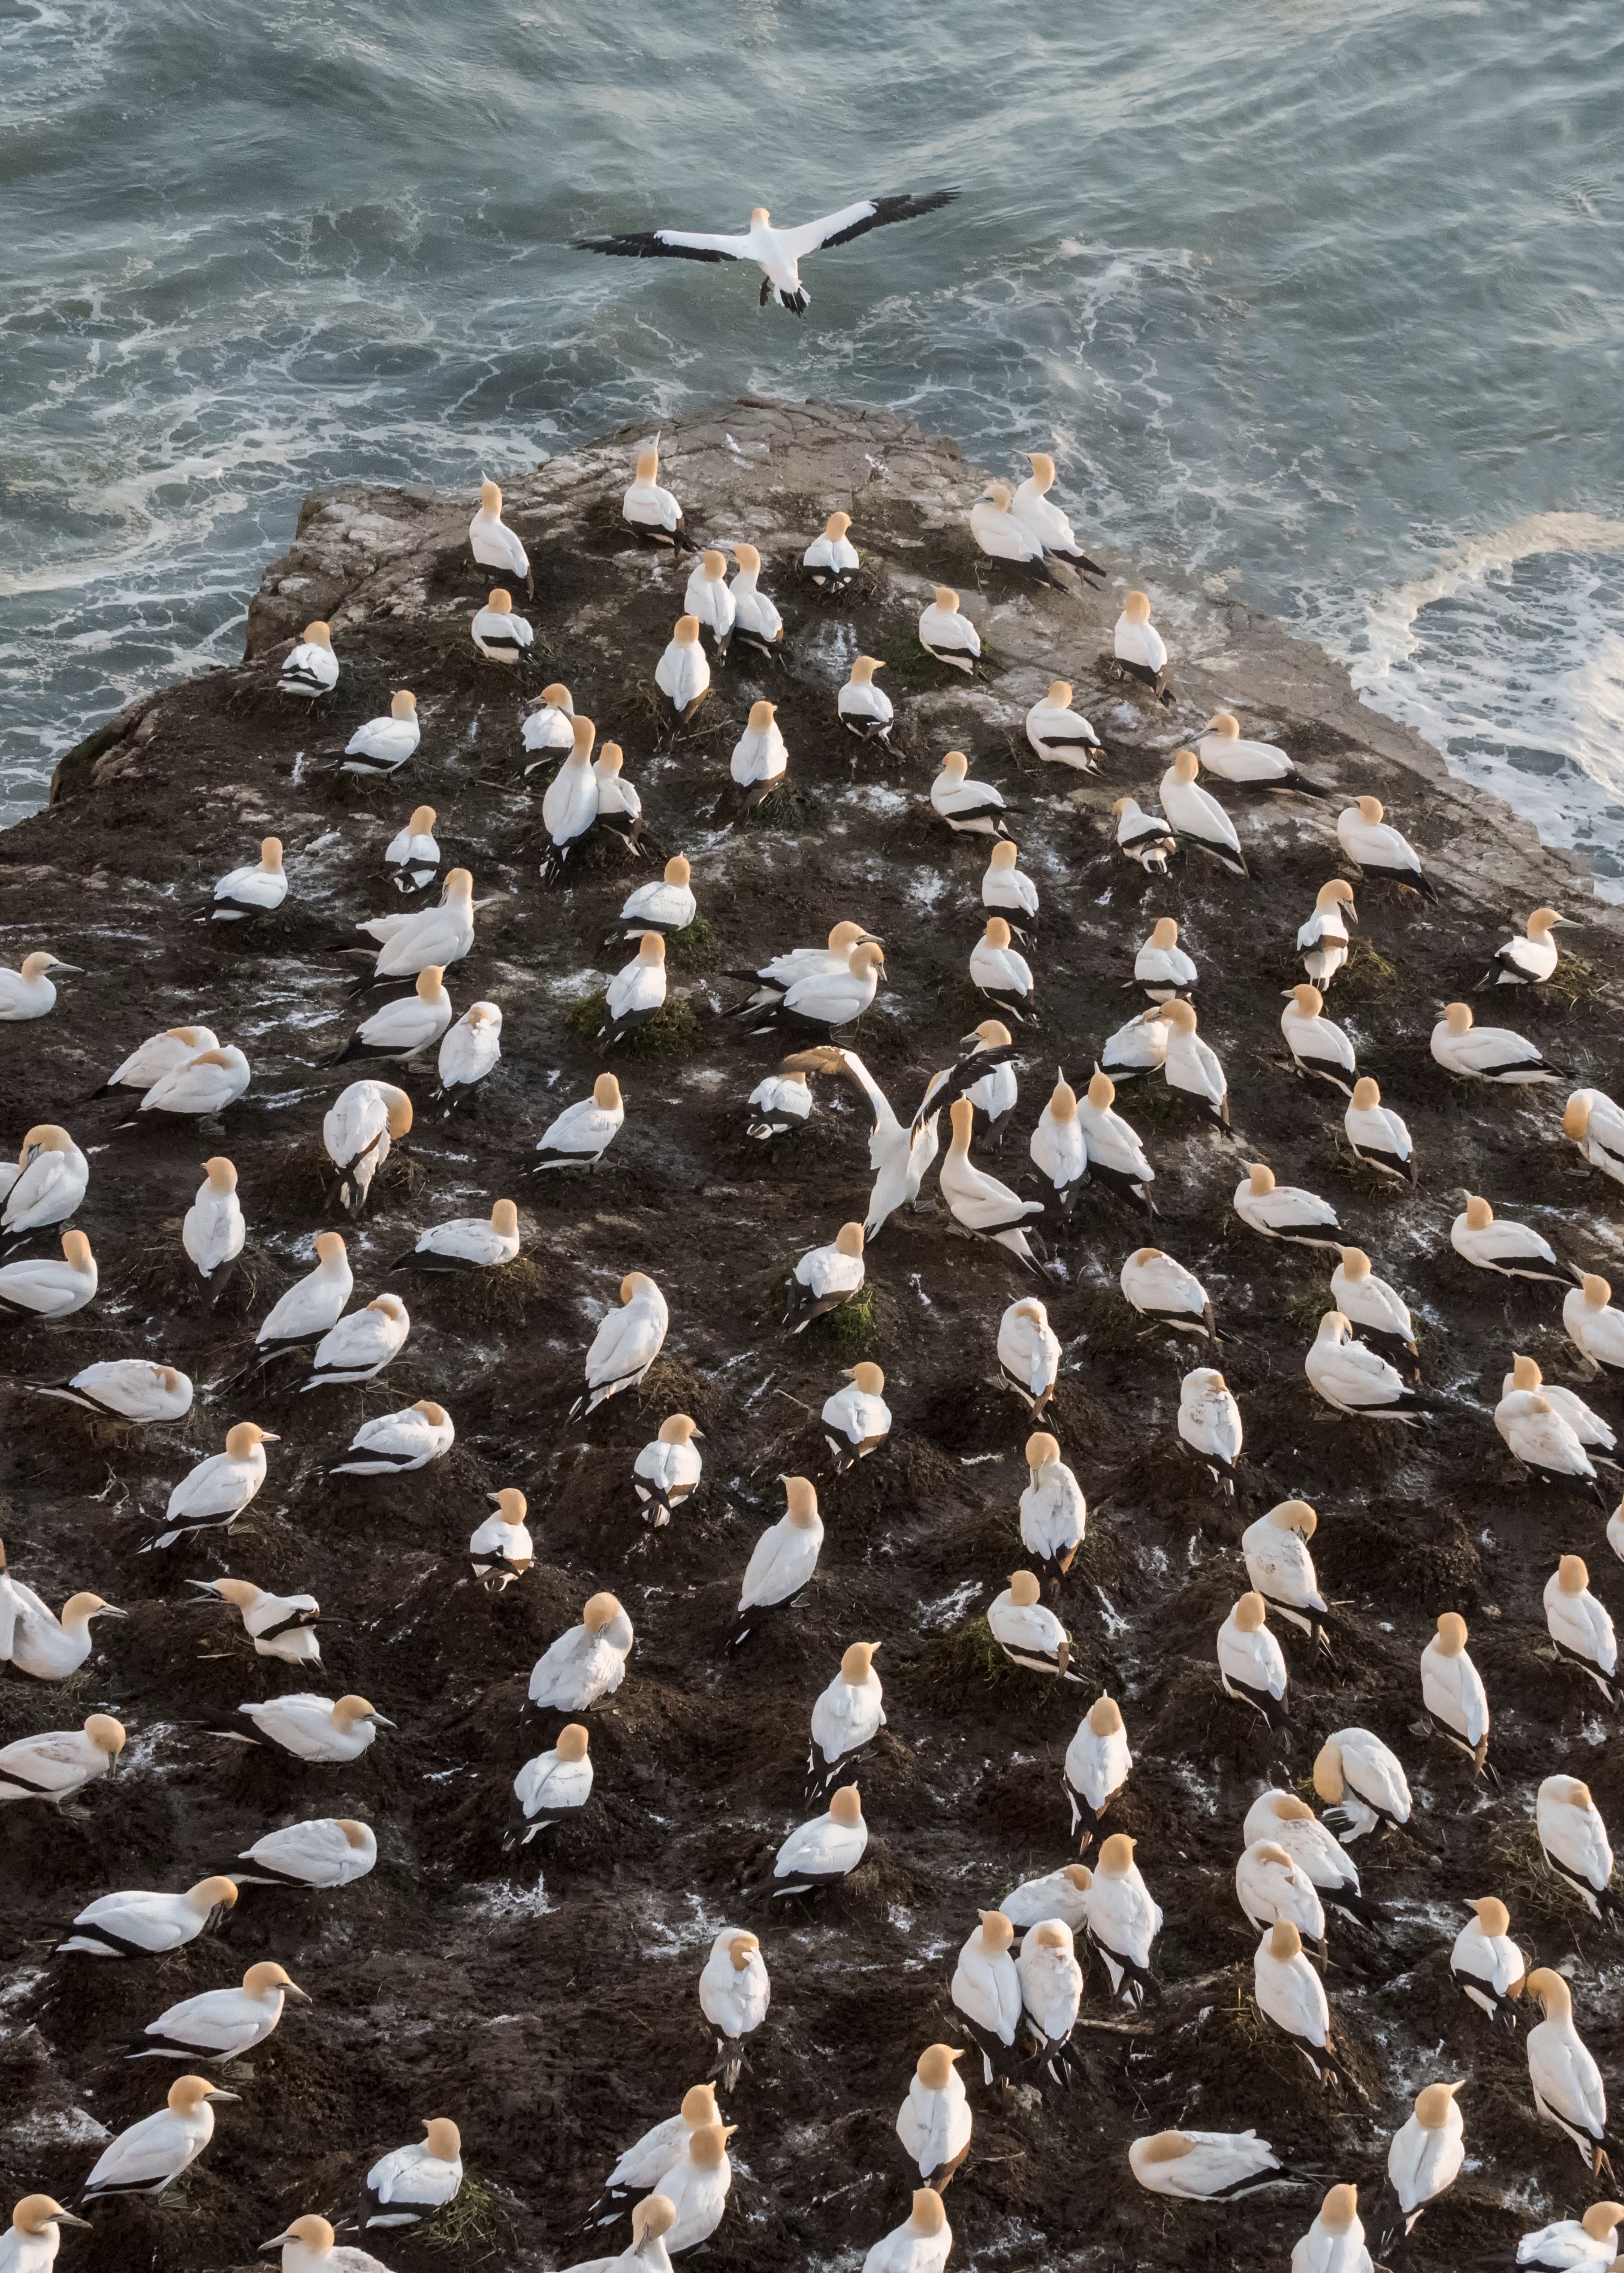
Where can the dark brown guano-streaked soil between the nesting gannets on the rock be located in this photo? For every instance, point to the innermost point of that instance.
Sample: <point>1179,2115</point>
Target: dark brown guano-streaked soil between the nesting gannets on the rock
<point>556,2024</point>
